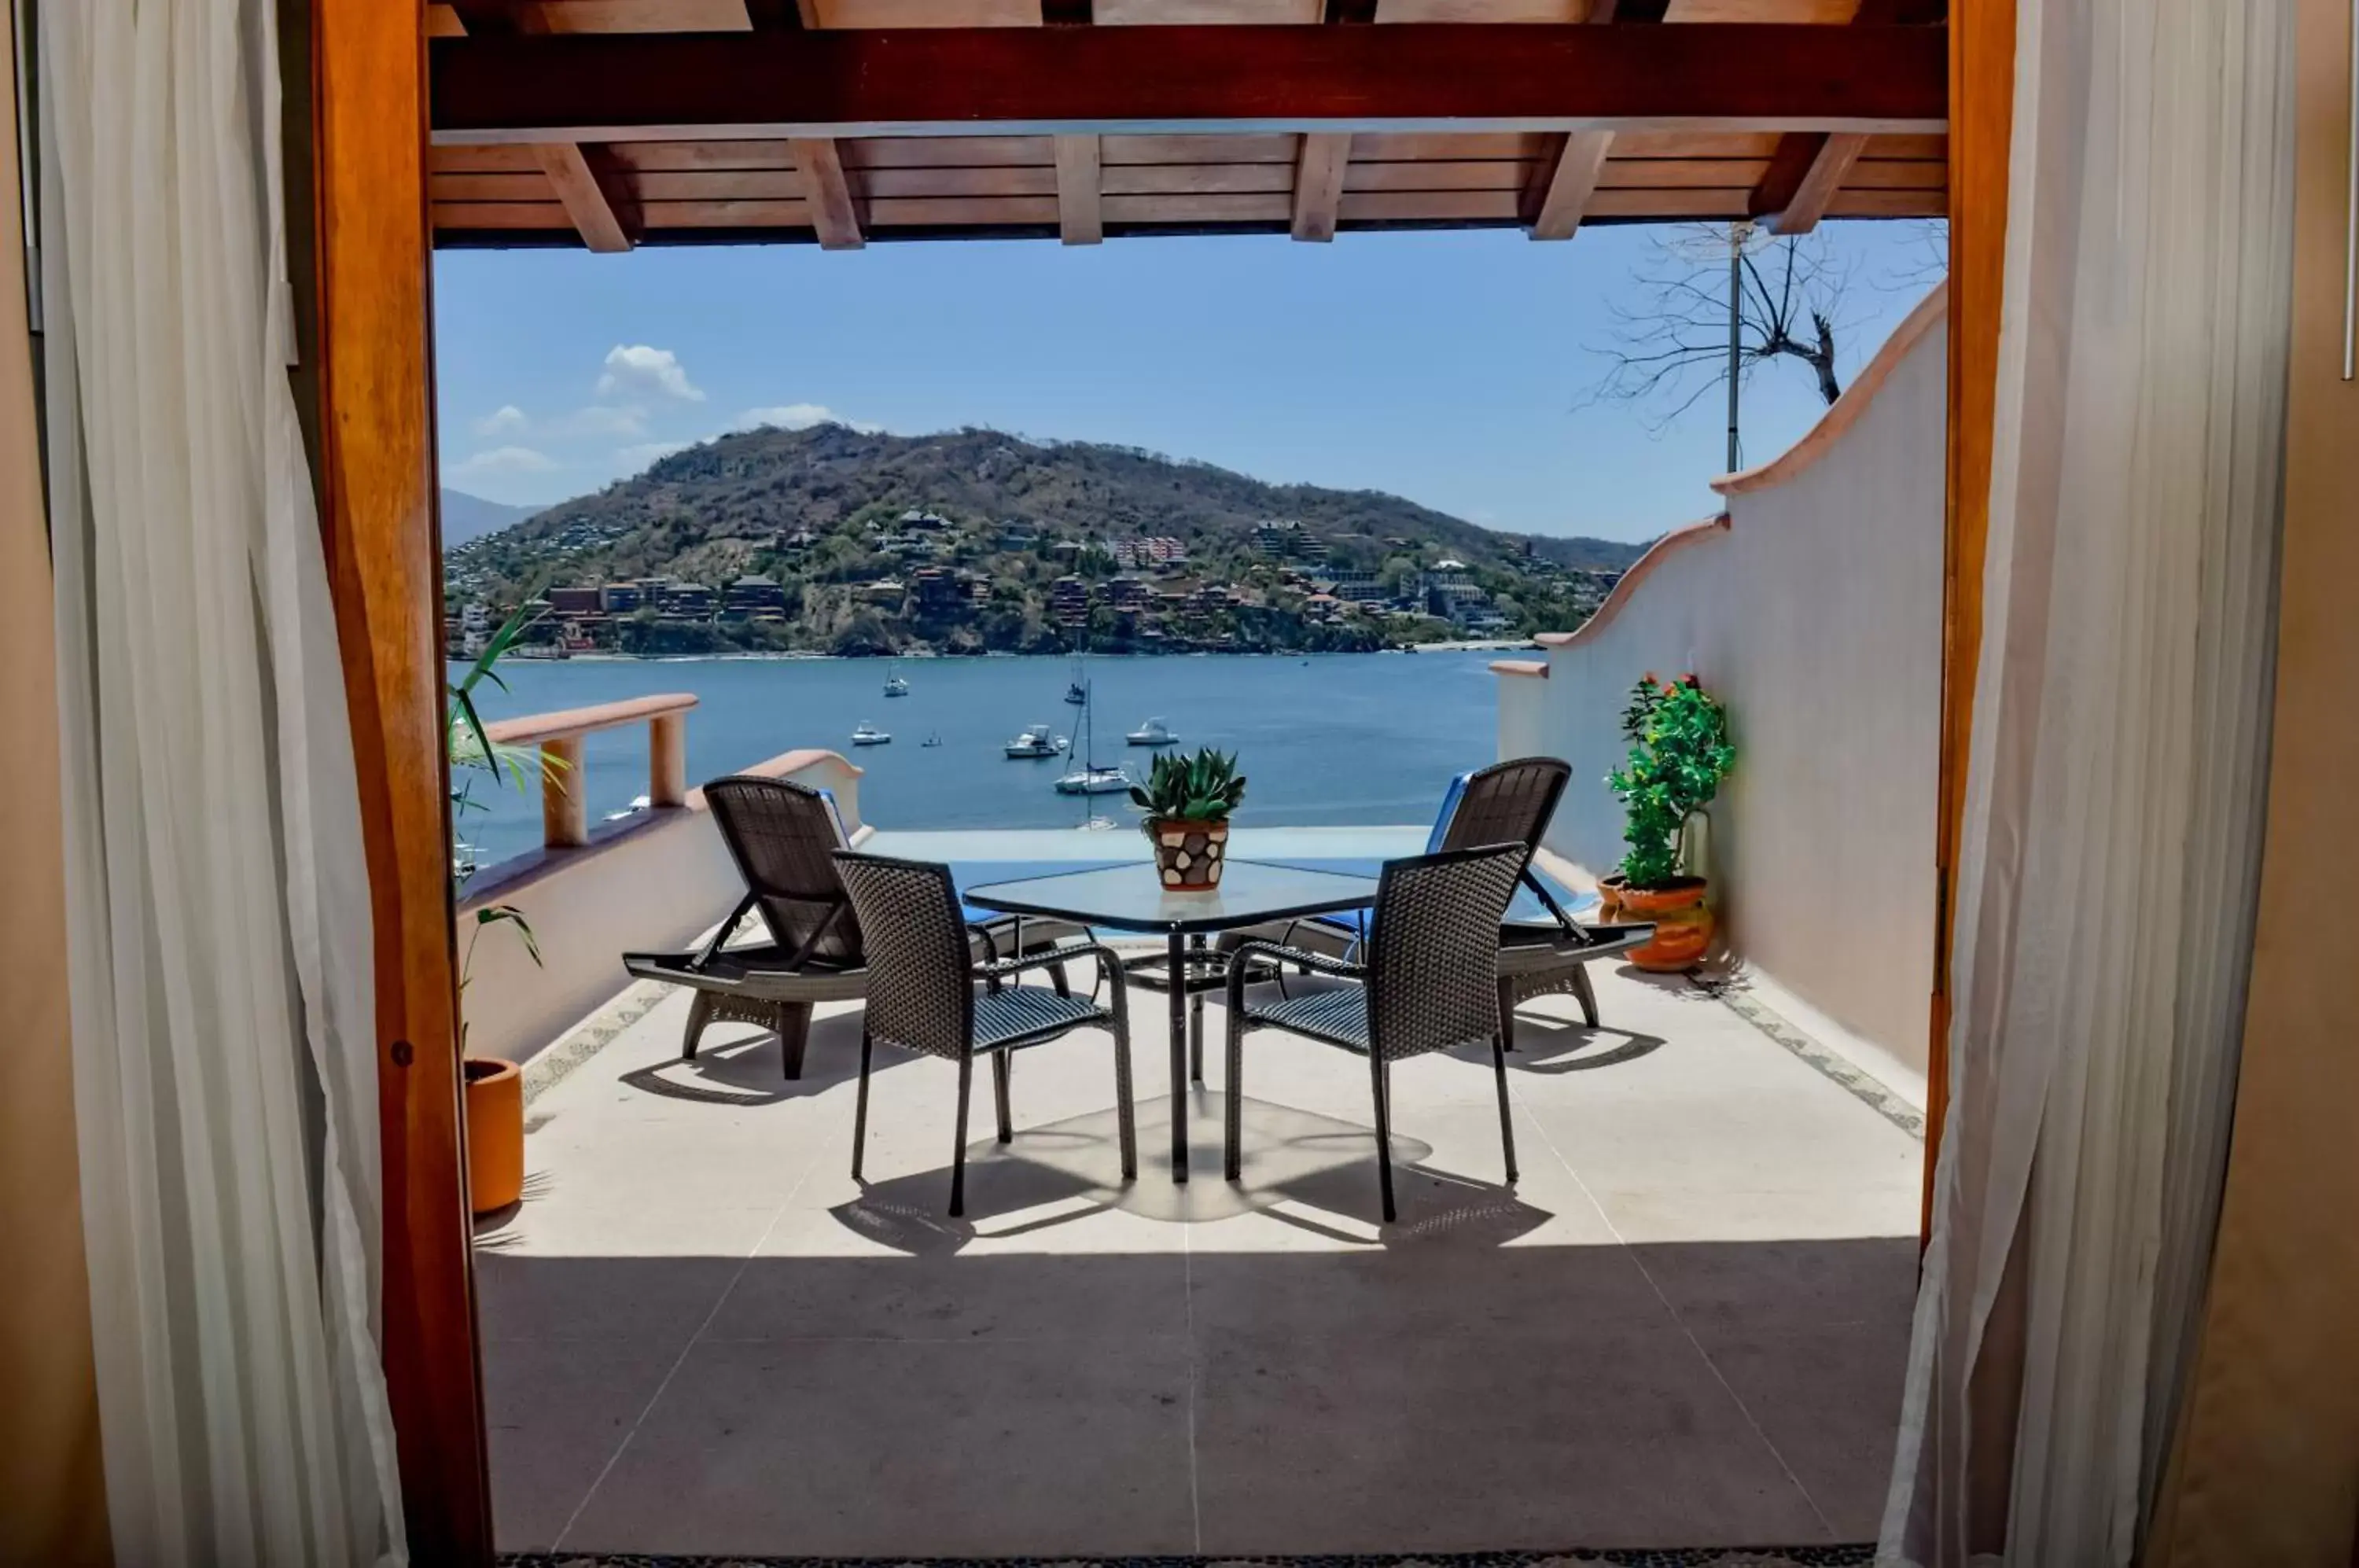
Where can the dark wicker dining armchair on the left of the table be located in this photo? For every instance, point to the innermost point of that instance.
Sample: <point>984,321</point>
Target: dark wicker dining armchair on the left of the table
<point>931,996</point>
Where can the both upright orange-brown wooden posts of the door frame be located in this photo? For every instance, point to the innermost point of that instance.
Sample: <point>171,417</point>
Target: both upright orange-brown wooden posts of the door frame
<point>383,536</point>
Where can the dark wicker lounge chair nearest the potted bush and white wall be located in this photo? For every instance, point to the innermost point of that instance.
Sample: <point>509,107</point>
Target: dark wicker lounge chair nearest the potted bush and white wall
<point>1542,949</point>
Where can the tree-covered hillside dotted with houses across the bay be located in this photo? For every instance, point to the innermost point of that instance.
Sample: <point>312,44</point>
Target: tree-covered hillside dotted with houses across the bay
<point>832,539</point>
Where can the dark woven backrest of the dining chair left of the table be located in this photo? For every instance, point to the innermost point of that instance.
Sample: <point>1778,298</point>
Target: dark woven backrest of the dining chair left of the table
<point>919,989</point>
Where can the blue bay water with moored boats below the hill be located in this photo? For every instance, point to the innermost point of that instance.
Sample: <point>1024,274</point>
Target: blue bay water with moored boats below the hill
<point>1336,739</point>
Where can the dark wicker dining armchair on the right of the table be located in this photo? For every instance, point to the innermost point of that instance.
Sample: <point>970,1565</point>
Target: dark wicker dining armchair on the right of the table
<point>1428,984</point>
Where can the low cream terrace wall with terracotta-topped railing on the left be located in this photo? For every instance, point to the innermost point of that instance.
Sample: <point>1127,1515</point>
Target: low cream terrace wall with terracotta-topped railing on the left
<point>655,881</point>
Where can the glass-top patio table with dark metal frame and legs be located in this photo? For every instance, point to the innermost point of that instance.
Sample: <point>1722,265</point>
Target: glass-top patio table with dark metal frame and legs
<point>1131,900</point>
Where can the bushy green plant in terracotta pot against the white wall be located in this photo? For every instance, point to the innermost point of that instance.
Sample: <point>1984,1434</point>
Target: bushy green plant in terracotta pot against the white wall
<point>1678,756</point>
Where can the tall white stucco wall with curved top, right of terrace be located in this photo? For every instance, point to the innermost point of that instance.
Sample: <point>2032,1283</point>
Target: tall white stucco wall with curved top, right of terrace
<point>1815,614</point>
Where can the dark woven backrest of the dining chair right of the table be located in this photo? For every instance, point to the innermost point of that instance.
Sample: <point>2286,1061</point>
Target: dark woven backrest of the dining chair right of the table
<point>1433,958</point>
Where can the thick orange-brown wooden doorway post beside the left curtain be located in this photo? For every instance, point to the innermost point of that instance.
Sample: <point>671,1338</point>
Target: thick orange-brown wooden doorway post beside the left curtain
<point>376,475</point>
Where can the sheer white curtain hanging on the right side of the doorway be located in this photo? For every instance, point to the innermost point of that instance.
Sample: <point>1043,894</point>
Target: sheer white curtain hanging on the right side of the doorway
<point>2117,777</point>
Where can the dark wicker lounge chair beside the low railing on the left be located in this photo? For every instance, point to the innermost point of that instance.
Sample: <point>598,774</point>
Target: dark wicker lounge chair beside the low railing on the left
<point>782,838</point>
